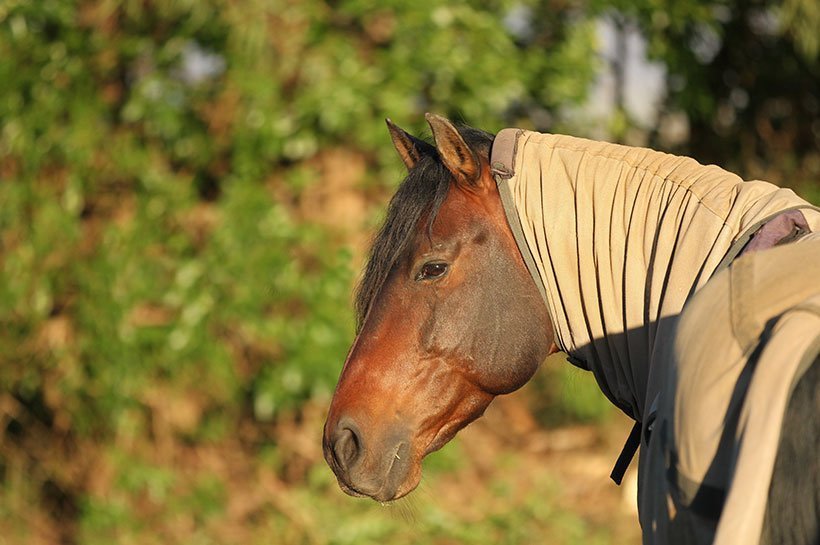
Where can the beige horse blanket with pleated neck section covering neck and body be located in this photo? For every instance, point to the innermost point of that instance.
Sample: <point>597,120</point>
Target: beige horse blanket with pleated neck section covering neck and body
<point>619,239</point>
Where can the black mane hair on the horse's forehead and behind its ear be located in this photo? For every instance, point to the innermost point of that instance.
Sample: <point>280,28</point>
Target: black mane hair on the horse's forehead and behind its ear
<point>420,195</point>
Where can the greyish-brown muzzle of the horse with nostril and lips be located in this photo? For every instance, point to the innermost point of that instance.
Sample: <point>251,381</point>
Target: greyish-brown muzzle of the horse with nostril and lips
<point>367,467</point>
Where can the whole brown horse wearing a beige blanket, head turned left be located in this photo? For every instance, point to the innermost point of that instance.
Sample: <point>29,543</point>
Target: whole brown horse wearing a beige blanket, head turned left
<point>499,250</point>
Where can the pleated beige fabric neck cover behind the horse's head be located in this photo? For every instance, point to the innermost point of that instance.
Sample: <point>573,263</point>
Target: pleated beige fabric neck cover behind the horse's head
<point>622,237</point>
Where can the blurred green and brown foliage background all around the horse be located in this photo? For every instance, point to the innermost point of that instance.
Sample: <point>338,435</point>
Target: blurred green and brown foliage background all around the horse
<point>187,191</point>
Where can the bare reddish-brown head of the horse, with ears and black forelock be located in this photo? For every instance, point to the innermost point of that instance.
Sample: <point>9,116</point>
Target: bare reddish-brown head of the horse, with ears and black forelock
<point>449,317</point>
